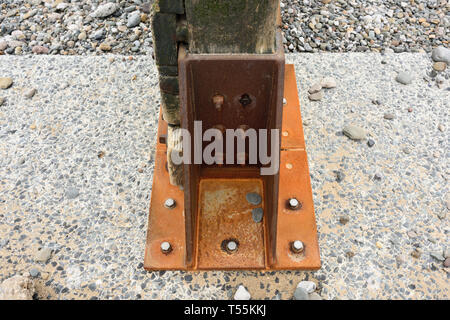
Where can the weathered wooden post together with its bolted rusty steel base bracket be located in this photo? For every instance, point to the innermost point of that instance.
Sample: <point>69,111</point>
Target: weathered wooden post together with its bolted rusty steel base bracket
<point>221,62</point>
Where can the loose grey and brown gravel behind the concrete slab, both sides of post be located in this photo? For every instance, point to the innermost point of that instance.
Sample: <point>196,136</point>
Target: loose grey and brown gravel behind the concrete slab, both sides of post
<point>308,26</point>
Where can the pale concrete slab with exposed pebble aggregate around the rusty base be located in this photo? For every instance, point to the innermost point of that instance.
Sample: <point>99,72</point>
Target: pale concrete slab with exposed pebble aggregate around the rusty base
<point>76,165</point>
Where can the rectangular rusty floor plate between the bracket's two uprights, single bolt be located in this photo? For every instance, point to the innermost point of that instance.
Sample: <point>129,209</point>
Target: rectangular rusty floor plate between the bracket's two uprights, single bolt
<point>224,213</point>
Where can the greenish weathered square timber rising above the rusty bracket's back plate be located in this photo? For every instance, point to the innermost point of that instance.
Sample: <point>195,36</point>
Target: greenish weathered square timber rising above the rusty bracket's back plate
<point>233,26</point>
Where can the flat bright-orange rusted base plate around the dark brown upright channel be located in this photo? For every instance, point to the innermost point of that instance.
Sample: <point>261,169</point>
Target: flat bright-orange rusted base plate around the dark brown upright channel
<point>294,182</point>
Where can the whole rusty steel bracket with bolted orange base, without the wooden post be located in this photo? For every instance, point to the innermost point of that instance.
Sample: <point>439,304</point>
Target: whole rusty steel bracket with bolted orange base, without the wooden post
<point>209,225</point>
